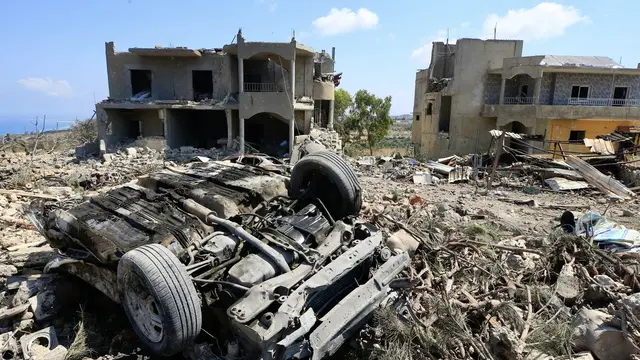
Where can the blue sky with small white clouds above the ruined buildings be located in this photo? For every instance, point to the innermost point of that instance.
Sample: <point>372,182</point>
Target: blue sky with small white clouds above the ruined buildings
<point>53,55</point>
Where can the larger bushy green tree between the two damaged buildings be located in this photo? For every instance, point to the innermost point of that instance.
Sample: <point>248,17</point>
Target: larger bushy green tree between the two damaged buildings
<point>369,115</point>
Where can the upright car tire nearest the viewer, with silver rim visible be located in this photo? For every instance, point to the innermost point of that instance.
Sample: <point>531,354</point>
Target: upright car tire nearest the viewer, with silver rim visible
<point>160,300</point>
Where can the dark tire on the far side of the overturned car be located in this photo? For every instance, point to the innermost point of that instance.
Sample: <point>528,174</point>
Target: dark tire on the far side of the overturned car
<point>331,179</point>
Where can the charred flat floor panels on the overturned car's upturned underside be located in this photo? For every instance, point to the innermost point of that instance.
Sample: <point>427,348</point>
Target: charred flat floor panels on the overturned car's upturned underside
<point>130,216</point>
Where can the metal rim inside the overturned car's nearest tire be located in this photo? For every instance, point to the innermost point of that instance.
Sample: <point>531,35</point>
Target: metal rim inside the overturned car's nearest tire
<point>144,310</point>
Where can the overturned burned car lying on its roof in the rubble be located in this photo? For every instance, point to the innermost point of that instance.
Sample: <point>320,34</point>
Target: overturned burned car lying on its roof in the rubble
<point>279,267</point>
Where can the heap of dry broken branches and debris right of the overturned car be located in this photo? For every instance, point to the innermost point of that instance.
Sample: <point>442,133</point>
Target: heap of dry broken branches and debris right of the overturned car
<point>482,290</point>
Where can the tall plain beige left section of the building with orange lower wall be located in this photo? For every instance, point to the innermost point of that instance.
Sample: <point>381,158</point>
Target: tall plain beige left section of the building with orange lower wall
<point>459,128</point>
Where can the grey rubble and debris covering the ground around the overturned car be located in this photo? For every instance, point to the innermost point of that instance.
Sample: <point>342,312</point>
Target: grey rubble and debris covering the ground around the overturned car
<point>506,264</point>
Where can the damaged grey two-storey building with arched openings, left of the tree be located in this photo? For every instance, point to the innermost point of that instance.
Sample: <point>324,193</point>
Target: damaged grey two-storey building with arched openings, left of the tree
<point>258,94</point>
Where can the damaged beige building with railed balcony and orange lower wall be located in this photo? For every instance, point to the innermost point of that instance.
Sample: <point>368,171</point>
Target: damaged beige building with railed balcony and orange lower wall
<point>478,85</point>
